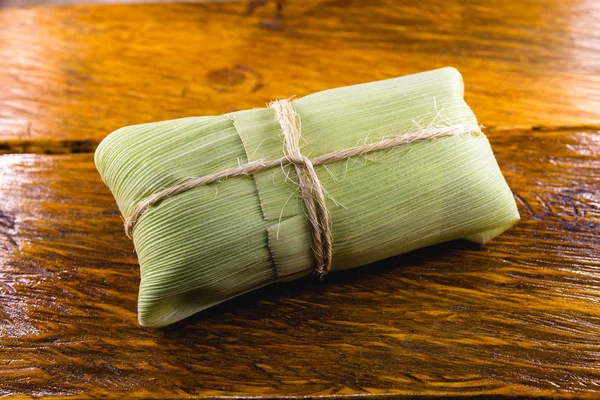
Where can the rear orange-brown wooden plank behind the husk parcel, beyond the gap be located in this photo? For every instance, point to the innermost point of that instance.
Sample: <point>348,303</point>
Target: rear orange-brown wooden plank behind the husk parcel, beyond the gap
<point>71,75</point>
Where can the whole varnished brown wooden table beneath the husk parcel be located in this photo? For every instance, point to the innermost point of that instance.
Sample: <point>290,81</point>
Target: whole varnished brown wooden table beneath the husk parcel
<point>519,316</point>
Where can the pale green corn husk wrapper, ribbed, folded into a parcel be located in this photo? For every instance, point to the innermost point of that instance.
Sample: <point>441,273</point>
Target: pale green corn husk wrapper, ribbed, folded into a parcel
<point>209,244</point>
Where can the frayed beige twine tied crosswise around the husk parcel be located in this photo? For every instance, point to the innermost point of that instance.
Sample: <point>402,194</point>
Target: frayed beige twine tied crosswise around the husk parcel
<point>311,189</point>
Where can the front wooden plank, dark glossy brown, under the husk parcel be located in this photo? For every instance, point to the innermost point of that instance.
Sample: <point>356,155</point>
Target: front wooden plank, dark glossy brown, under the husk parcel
<point>517,316</point>
